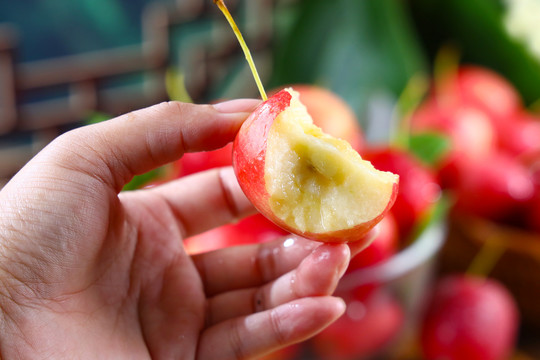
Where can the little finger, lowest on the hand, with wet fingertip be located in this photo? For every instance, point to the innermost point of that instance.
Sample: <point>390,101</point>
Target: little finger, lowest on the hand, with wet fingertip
<point>260,333</point>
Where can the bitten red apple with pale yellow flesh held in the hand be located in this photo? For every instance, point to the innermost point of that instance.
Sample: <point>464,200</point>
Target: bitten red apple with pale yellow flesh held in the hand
<point>307,182</point>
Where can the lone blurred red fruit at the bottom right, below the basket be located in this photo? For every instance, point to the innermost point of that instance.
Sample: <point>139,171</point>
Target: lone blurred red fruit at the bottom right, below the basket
<point>469,318</point>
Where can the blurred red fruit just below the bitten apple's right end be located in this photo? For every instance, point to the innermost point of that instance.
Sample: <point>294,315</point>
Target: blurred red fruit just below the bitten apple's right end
<point>384,246</point>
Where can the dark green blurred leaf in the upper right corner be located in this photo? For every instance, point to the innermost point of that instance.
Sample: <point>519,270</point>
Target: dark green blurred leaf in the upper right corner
<point>476,28</point>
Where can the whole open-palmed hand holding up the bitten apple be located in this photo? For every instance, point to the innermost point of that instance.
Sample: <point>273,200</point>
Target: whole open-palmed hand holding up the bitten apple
<point>88,271</point>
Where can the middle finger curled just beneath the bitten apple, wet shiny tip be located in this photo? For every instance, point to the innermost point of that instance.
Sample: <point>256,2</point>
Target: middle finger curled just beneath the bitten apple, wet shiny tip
<point>251,265</point>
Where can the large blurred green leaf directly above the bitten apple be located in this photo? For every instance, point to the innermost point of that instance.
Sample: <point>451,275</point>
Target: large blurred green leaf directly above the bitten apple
<point>356,48</point>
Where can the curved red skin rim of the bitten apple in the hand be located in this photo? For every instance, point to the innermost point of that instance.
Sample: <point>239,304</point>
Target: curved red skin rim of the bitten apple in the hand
<point>249,154</point>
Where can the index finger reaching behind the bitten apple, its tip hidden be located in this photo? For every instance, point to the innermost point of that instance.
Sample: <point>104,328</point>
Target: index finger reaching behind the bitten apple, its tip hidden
<point>203,201</point>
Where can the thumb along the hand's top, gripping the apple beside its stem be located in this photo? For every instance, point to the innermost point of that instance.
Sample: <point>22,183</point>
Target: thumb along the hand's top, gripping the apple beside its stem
<point>142,140</point>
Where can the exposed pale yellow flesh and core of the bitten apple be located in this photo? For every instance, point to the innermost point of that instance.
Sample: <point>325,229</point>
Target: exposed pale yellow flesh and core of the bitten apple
<point>318,183</point>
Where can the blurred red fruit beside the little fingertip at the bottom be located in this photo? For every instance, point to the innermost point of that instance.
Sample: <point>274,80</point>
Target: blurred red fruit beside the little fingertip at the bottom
<point>368,325</point>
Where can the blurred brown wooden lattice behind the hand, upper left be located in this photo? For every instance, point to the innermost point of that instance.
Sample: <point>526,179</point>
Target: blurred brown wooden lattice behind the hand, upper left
<point>207,59</point>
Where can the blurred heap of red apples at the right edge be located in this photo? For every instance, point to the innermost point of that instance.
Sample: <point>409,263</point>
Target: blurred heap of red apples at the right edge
<point>492,166</point>
